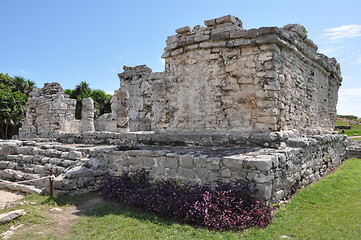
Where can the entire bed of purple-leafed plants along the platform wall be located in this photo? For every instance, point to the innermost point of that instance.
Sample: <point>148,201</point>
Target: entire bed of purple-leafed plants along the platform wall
<point>230,205</point>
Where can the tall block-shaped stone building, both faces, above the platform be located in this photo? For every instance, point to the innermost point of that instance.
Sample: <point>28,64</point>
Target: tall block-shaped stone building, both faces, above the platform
<point>224,78</point>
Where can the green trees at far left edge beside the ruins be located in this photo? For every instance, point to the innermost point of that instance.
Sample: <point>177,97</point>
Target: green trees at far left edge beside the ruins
<point>13,97</point>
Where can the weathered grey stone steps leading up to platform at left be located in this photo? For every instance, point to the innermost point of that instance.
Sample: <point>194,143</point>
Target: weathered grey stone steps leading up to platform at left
<point>25,167</point>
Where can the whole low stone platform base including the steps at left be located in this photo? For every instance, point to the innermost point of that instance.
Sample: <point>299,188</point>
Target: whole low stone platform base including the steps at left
<point>276,163</point>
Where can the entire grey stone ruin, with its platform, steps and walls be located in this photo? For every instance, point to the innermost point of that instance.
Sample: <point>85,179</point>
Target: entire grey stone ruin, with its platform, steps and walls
<point>232,103</point>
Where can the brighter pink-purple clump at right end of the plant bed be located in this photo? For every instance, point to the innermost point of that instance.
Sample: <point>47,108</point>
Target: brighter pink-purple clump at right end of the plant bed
<point>230,206</point>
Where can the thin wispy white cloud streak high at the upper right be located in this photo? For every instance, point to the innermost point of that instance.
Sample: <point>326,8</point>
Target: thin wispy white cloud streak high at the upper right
<point>345,31</point>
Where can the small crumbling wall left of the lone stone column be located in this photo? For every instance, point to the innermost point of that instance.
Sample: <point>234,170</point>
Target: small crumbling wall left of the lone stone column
<point>49,110</point>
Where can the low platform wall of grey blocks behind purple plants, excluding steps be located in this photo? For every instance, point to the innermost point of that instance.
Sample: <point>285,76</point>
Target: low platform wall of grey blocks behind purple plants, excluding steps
<point>275,172</point>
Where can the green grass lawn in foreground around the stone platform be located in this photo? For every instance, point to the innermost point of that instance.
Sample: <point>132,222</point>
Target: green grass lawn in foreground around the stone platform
<point>328,209</point>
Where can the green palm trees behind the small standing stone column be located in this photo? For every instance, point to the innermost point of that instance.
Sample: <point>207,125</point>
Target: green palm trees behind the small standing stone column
<point>101,99</point>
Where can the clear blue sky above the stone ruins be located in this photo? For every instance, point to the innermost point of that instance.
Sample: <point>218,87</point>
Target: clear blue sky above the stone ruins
<point>70,41</point>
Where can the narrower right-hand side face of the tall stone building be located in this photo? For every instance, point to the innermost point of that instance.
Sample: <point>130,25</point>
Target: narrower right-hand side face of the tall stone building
<point>309,81</point>
